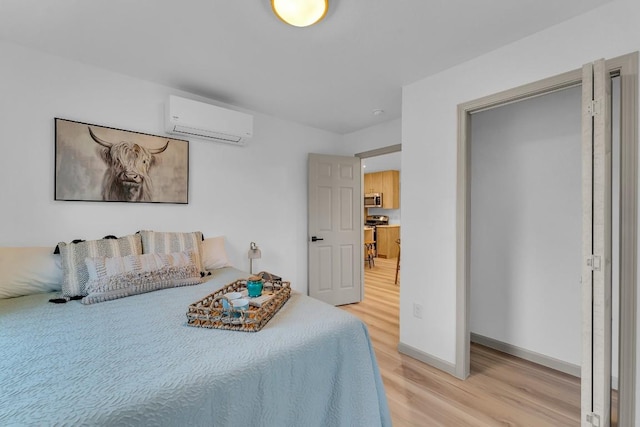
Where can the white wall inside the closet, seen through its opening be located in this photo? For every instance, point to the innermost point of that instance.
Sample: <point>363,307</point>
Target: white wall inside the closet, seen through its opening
<point>526,225</point>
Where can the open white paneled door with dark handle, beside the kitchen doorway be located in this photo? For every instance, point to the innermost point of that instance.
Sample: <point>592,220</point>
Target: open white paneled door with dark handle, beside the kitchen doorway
<point>335,229</point>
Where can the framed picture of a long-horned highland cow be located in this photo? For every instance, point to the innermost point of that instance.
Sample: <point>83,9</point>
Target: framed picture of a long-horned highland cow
<point>97,163</point>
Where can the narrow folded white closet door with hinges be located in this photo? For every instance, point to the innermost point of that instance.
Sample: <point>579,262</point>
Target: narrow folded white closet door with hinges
<point>596,272</point>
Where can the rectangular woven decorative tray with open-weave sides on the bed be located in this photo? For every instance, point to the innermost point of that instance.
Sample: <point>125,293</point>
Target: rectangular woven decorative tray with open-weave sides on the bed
<point>210,313</point>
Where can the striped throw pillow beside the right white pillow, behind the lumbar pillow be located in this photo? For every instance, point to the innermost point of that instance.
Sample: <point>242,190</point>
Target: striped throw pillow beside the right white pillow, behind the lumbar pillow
<point>167,242</point>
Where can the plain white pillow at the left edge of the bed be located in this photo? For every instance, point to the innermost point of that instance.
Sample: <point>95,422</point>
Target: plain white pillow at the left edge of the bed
<point>29,270</point>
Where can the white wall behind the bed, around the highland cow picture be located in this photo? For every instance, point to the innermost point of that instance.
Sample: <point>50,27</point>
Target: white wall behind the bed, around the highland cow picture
<point>253,193</point>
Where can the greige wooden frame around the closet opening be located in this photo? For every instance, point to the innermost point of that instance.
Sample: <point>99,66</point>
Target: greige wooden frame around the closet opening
<point>626,67</point>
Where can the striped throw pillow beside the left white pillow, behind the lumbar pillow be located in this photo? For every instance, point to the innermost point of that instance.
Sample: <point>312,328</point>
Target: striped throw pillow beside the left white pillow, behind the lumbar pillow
<point>74,270</point>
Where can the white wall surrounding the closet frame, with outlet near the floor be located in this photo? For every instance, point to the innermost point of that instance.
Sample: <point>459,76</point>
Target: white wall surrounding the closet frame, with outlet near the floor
<point>429,155</point>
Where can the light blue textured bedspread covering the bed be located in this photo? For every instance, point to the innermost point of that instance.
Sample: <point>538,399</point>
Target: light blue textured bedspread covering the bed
<point>133,361</point>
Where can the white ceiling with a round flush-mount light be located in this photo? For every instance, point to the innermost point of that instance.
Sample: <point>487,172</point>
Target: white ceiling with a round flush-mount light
<point>330,76</point>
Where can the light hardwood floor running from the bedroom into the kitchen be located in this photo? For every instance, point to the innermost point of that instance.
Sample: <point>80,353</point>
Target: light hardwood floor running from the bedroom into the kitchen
<point>502,390</point>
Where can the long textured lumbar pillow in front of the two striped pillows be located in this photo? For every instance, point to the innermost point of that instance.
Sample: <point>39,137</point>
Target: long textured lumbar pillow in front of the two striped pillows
<point>119,277</point>
